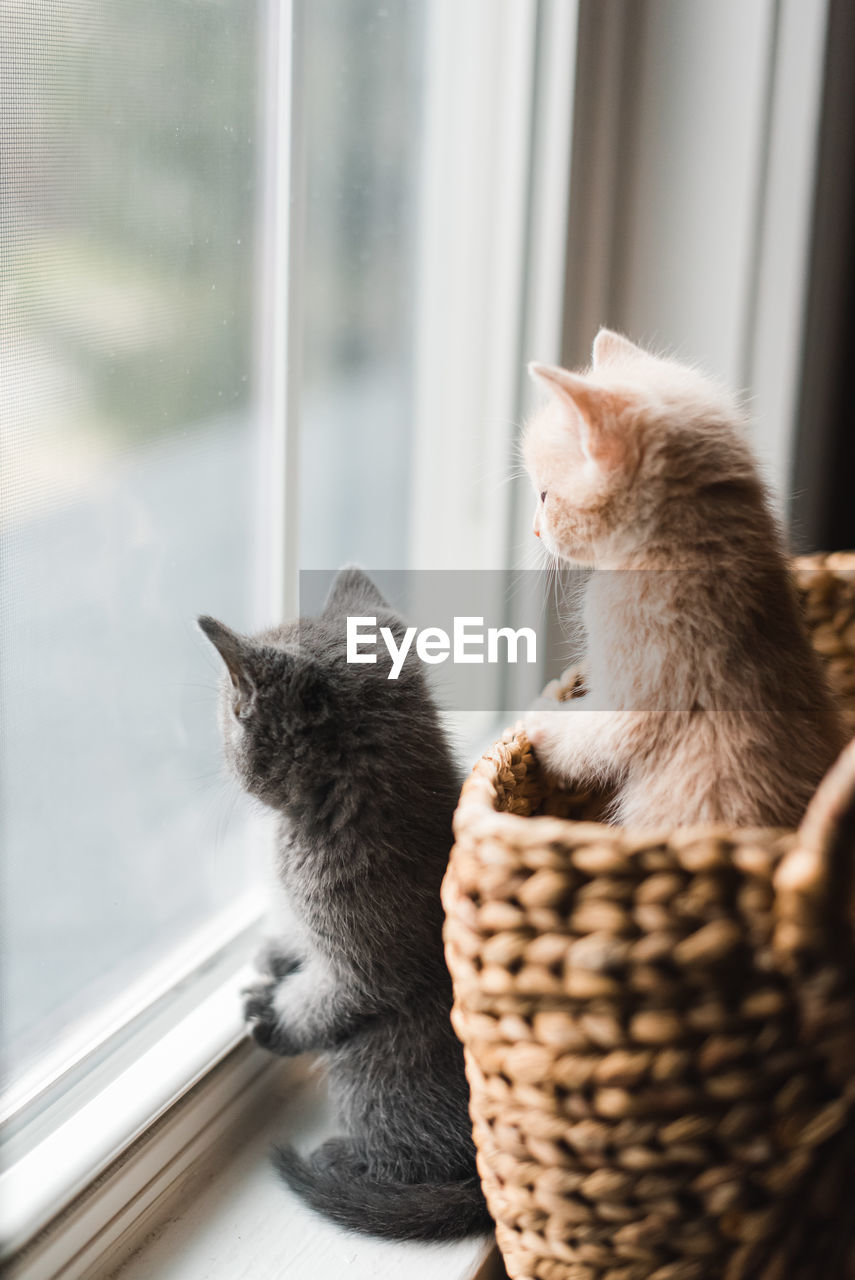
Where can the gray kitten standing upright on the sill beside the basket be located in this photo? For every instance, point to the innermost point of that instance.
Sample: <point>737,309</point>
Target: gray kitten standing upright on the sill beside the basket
<point>364,784</point>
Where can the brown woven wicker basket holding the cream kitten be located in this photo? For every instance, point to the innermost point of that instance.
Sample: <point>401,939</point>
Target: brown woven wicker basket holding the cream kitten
<point>660,1027</point>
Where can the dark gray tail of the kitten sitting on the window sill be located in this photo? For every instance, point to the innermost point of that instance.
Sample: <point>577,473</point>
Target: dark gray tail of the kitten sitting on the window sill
<point>333,1181</point>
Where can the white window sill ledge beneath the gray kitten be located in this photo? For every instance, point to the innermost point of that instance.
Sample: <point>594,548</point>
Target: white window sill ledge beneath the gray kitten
<point>213,1209</point>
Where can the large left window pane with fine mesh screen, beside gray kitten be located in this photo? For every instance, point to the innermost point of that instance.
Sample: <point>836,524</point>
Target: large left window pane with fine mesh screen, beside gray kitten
<point>131,468</point>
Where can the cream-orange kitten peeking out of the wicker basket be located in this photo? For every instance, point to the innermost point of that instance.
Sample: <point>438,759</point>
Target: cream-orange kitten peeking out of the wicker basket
<point>706,701</point>
